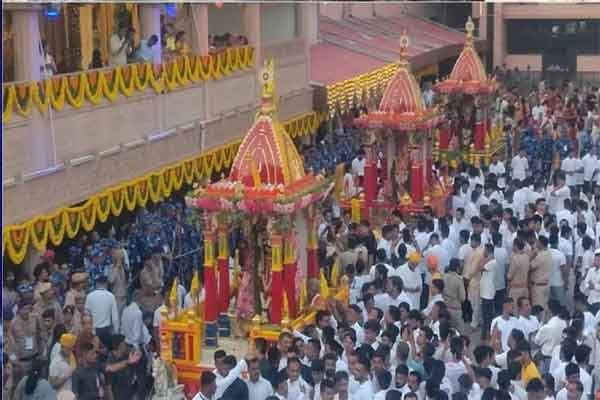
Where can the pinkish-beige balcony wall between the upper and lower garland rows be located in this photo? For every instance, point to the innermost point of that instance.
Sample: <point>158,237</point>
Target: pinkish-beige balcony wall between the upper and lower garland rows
<point>98,146</point>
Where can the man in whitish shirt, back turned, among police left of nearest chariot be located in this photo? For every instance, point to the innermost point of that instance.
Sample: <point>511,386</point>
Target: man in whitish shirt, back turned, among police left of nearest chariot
<point>102,305</point>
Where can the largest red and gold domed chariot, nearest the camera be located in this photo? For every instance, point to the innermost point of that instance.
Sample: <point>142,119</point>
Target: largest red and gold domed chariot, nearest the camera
<point>269,201</point>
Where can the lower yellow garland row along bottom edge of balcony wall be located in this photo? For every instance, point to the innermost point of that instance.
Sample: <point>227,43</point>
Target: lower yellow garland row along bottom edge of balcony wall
<point>135,193</point>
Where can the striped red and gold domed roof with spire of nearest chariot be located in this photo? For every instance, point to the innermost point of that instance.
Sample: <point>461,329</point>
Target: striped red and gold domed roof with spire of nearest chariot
<point>267,175</point>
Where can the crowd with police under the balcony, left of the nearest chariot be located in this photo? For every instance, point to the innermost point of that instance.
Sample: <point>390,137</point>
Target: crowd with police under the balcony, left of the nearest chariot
<point>100,302</point>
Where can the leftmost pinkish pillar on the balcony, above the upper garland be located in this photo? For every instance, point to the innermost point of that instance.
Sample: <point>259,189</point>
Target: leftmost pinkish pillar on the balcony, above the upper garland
<point>28,55</point>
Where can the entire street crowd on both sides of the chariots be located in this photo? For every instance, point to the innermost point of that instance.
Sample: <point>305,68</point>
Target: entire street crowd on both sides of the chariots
<point>497,299</point>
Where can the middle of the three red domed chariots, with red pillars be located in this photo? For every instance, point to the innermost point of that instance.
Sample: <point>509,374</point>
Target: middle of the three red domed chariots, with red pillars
<point>404,129</point>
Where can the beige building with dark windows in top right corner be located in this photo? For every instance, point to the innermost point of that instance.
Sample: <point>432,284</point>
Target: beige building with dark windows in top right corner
<point>555,40</point>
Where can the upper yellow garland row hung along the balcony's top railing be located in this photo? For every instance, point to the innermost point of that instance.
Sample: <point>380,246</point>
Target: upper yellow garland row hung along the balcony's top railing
<point>96,86</point>
